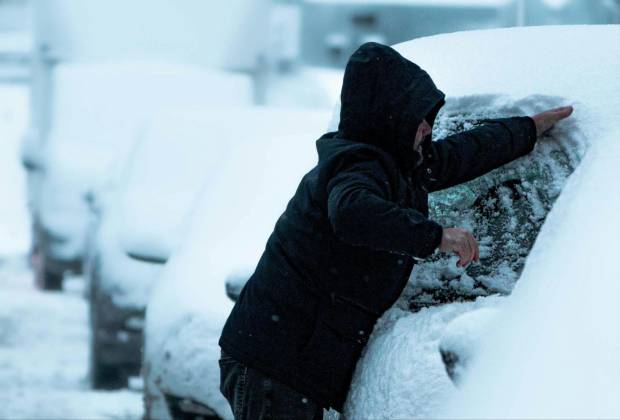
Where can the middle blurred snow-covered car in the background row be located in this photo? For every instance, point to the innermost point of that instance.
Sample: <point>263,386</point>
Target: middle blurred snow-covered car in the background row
<point>139,222</point>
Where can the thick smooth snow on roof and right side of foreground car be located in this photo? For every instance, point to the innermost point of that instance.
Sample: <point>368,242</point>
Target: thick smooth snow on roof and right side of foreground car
<point>557,353</point>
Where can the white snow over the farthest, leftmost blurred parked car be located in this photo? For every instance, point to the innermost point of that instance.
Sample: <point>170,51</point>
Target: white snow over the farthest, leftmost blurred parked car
<point>98,109</point>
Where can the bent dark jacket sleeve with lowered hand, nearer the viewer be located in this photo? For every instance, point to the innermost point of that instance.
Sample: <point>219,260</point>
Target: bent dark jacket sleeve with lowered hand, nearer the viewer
<point>361,213</point>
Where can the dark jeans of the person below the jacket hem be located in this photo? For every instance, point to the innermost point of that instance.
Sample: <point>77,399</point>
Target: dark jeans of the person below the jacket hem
<point>253,395</point>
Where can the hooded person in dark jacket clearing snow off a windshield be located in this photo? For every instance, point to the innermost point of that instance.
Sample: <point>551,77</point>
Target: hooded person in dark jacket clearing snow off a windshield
<point>343,250</point>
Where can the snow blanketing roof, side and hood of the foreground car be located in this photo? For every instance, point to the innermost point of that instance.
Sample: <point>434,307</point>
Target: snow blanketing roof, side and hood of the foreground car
<point>545,358</point>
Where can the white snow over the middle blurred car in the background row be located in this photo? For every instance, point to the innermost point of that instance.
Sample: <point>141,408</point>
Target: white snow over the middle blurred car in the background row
<point>182,153</point>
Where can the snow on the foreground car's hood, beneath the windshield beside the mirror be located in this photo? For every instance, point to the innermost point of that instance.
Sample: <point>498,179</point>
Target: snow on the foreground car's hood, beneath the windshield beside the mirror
<point>401,374</point>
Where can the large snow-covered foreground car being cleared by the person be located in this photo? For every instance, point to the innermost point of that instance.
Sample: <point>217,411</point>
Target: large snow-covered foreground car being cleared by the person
<point>539,355</point>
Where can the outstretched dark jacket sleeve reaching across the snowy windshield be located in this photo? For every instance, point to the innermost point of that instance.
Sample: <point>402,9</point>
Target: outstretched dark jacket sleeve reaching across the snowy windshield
<point>464,156</point>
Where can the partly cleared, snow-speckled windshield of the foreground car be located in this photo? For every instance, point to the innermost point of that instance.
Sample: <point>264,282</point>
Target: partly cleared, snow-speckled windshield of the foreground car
<point>504,209</point>
